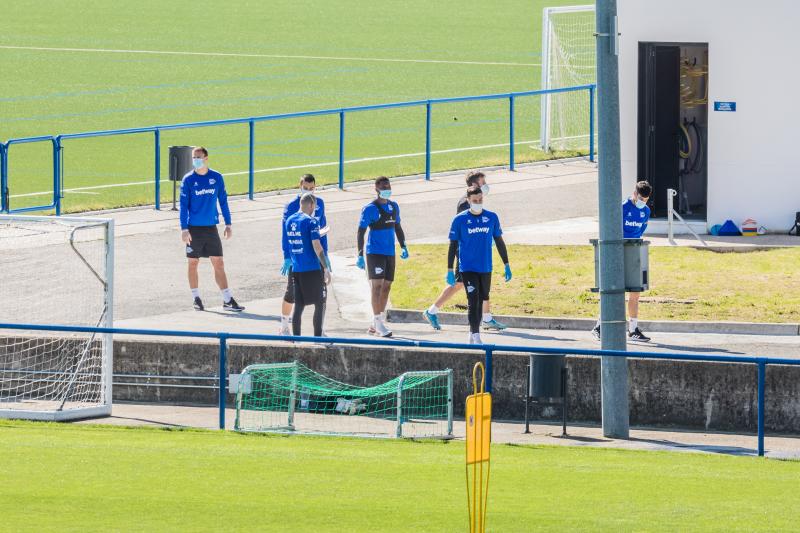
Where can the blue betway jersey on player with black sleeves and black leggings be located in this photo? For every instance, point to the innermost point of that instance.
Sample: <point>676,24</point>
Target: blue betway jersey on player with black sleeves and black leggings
<point>475,235</point>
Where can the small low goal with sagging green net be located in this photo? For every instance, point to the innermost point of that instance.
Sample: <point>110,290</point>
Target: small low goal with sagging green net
<point>292,398</point>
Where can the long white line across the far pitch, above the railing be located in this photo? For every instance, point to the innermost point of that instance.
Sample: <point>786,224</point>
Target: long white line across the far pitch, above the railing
<point>273,56</point>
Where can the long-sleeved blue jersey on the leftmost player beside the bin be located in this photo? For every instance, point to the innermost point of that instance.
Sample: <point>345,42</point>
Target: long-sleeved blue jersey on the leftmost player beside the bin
<point>199,197</point>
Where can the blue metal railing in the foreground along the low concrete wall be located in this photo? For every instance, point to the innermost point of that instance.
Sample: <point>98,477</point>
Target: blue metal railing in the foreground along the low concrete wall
<point>488,351</point>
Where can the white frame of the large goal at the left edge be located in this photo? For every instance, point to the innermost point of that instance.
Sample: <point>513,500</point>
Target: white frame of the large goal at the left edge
<point>103,408</point>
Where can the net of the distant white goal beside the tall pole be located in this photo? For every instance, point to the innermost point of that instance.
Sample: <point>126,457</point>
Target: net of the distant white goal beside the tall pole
<point>568,60</point>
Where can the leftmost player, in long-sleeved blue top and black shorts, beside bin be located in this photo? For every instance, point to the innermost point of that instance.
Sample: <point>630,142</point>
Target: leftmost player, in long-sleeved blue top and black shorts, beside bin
<point>201,190</point>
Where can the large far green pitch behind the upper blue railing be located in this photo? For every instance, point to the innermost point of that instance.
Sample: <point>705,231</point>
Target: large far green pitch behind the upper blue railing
<point>81,66</point>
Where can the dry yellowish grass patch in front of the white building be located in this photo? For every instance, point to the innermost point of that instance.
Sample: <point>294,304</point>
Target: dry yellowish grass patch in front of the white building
<point>685,284</point>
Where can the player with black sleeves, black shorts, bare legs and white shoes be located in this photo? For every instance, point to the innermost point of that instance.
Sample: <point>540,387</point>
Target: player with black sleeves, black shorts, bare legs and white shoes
<point>382,217</point>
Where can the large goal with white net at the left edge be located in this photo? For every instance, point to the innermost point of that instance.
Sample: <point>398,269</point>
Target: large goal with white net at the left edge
<point>55,271</point>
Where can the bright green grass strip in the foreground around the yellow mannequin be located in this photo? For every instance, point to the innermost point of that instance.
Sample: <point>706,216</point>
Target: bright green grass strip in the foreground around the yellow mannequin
<point>81,478</point>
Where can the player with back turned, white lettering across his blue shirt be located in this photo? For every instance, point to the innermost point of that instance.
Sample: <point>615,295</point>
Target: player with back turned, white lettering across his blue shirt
<point>311,276</point>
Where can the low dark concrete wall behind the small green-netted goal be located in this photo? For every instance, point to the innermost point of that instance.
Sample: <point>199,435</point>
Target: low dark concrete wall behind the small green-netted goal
<point>715,396</point>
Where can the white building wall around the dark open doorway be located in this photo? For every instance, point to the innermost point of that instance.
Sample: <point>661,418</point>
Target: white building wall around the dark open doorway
<point>754,60</point>
